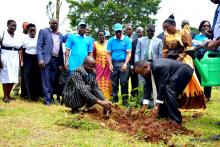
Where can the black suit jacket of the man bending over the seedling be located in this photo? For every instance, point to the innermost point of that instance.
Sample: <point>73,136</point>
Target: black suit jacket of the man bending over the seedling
<point>166,72</point>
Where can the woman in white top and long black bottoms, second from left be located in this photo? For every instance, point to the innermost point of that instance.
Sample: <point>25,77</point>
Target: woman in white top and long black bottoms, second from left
<point>32,75</point>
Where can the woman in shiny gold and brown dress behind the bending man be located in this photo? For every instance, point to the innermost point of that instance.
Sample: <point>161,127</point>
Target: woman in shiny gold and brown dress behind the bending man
<point>175,43</point>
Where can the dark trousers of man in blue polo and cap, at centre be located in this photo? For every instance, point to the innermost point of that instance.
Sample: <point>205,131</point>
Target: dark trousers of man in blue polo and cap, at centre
<point>123,77</point>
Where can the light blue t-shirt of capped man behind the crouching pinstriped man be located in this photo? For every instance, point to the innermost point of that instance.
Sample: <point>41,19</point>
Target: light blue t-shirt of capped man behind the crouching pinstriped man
<point>79,46</point>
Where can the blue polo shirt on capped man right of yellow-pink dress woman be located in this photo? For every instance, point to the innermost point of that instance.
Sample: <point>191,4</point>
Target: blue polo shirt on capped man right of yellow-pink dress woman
<point>119,48</point>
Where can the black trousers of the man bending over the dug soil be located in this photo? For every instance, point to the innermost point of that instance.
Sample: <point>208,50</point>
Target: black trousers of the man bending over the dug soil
<point>174,88</point>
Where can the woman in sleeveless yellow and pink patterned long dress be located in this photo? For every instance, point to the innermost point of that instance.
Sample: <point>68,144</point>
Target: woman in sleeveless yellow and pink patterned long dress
<point>102,67</point>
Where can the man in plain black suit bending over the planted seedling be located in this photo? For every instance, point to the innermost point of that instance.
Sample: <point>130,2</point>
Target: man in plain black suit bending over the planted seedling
<point>171,77</point>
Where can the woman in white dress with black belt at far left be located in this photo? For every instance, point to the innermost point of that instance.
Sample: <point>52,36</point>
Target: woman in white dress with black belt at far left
<point>9,59</point>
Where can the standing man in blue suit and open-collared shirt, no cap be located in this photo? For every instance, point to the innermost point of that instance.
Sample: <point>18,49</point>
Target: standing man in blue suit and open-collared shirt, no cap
<point>50,58</point>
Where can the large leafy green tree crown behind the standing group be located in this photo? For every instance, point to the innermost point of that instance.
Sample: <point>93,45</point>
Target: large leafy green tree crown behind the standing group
<point>105,13</point>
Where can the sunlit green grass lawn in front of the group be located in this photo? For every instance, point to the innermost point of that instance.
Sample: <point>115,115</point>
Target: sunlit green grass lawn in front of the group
<point>24,123</point>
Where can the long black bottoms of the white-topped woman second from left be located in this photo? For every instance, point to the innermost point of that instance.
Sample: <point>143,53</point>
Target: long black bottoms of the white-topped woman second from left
<point>32,77</point>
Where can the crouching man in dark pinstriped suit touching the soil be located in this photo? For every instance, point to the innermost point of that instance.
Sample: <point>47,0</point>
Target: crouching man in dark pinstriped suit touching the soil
<point>81,89</point>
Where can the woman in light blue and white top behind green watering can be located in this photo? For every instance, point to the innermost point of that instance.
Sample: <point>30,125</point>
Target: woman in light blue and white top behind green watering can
<point>204,36</point>
